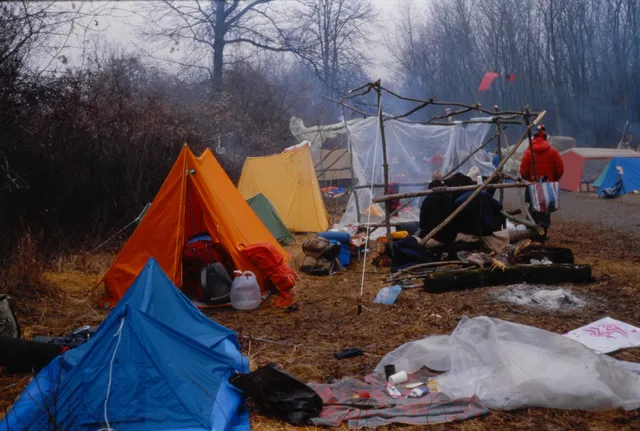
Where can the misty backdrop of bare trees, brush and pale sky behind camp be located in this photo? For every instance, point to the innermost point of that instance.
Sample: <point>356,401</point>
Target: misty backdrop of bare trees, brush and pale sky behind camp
<point>97,98</point>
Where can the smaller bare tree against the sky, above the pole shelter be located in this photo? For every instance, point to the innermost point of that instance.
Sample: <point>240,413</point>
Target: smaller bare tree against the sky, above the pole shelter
<point>336,37</point>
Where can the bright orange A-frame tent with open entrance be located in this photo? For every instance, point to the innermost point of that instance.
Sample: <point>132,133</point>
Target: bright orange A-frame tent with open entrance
<point>197,196</point>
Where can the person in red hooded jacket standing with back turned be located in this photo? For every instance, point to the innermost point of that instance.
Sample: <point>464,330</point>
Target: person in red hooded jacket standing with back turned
<point>548,168</point>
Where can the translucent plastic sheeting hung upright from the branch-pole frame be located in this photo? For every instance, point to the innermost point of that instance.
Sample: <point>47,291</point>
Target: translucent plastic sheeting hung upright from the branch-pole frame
<point>414,151</point>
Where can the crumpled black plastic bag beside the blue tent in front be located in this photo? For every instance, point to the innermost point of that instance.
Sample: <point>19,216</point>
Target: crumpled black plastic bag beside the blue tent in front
<point>277,393</point>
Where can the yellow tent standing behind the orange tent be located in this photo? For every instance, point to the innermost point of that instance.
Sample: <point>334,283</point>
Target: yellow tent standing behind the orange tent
<point>289,181</point>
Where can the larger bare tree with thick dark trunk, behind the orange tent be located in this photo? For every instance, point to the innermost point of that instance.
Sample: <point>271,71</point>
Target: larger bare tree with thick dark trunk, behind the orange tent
<point>207,28</point>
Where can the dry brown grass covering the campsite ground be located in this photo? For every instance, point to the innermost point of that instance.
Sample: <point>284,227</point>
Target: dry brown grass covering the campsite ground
<point>326,322</point>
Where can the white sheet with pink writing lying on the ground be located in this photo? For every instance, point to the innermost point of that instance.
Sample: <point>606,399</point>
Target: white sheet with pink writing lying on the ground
<point>607,335</point>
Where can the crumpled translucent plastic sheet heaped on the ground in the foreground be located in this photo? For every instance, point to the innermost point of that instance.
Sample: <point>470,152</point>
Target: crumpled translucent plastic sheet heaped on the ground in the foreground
<point>510,366</point>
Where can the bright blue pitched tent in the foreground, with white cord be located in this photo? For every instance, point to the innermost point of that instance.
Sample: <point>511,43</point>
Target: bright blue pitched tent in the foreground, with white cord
<point>155,363</point>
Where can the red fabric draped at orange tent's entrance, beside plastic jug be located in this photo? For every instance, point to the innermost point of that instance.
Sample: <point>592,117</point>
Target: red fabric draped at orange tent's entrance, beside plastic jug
<point>268,260</point>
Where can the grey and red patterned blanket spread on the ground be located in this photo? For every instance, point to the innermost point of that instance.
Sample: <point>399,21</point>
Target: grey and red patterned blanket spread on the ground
<point>365,404</point>
